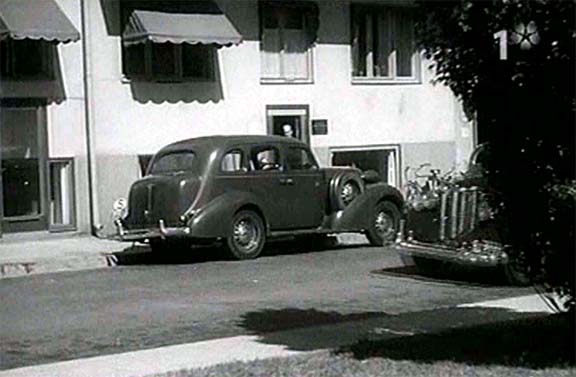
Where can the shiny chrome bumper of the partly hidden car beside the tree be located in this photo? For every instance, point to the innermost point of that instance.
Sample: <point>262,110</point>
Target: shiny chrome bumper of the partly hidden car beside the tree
<point>481,254</point>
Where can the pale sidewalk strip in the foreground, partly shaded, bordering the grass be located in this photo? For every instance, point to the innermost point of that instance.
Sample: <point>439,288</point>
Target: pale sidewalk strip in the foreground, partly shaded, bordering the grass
<point>175,359</point>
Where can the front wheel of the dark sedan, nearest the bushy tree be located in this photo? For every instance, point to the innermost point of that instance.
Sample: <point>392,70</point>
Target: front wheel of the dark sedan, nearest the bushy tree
<point>384,224</point>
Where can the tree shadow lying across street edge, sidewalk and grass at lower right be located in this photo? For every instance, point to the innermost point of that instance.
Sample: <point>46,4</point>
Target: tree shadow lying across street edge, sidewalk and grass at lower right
<point>468,335</point>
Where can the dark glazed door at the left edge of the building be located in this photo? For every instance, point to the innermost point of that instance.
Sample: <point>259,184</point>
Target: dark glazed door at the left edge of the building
<point>23,162</point>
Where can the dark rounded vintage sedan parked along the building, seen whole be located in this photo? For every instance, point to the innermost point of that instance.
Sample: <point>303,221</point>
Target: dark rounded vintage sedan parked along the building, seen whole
<point>242,190</point>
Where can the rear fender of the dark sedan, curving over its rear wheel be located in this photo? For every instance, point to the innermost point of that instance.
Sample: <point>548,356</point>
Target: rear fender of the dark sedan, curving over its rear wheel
<point>213,219</point>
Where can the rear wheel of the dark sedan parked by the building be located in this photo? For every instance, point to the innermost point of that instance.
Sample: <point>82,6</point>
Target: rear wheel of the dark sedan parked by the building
<point>247,235</point>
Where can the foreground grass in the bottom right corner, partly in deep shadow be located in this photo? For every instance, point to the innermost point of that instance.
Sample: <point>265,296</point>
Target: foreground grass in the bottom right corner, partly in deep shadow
<point>527,347</point>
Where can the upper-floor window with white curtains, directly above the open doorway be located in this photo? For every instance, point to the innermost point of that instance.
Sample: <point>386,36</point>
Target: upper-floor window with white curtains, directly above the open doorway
<point>287,33</point>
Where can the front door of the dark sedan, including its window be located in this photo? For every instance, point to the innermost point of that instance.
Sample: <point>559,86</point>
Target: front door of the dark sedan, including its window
<point>304,188</point>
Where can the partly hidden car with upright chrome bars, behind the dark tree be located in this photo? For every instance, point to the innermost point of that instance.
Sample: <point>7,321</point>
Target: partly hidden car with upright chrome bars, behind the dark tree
<point>451,221</point>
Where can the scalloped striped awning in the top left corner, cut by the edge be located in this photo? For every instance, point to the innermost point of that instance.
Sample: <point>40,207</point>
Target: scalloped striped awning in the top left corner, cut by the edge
<point>33,19</point>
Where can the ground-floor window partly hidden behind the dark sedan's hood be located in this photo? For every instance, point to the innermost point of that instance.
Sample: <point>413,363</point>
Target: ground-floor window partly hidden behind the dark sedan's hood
<point>383,160</point>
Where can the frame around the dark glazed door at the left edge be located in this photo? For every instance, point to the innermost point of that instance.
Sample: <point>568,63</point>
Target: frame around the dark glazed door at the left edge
<point>35,222</point>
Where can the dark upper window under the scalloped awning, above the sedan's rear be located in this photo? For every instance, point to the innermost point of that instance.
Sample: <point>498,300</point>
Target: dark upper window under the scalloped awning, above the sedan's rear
<point>169,62</point>
